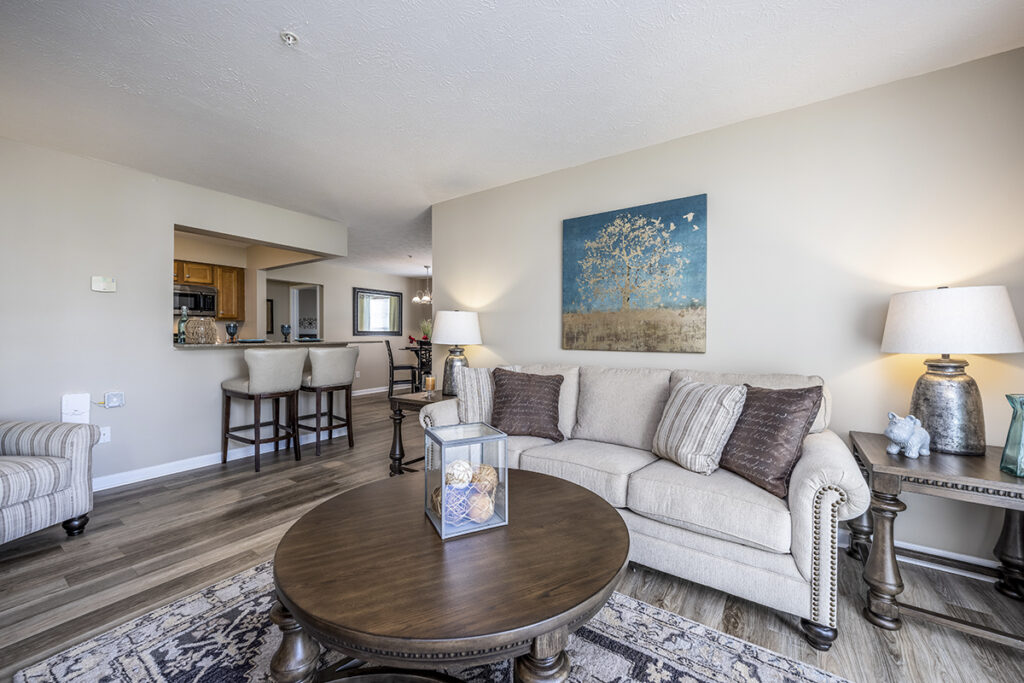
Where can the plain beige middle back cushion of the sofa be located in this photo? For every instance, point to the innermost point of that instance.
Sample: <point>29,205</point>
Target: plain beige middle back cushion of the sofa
<point>621,406</point>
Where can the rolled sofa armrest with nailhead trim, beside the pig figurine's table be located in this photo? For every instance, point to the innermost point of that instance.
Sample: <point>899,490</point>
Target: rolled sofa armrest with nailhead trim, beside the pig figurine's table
<point>827,487</point>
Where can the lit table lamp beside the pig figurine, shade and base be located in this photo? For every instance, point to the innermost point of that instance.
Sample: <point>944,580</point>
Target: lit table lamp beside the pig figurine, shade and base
<point>961,320</point>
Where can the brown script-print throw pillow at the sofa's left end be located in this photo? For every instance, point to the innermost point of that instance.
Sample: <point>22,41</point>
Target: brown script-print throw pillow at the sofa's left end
<point>527,405</point>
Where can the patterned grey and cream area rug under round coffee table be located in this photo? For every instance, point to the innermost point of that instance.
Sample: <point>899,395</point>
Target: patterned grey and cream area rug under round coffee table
<point>223,634</point>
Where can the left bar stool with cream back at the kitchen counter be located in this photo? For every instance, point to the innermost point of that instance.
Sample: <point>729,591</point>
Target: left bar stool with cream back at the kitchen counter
<point>274,374</point>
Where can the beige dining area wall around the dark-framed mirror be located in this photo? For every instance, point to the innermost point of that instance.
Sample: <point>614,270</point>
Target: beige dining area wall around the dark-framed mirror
<point>338,281</point>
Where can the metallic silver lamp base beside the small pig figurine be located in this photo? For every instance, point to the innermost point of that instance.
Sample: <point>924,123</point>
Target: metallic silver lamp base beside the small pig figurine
<point>949,404</point>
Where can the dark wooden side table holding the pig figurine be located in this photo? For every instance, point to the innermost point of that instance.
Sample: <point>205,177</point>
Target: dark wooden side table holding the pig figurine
<point>971,479</point>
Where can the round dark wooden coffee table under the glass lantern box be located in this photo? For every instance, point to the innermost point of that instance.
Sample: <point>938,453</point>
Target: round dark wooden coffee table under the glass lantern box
<point>367,575</point>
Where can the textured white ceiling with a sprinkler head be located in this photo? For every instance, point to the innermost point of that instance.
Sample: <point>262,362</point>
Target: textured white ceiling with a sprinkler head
<point>382,110</point>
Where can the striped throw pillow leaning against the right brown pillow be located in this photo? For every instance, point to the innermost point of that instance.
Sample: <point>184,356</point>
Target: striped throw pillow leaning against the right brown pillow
<point>697,424</point>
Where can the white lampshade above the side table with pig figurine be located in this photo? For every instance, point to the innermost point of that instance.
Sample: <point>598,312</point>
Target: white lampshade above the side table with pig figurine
<point>959,320</point>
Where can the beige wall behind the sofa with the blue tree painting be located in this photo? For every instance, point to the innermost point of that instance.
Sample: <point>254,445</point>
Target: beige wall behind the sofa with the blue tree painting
<point>816,218</point>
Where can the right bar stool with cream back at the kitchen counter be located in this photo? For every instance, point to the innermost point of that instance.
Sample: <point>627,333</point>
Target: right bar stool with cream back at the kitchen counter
<point>333,370</point>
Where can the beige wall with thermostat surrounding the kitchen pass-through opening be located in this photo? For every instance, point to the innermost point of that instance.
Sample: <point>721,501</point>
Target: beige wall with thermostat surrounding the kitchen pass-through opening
<point>64,219</point>
